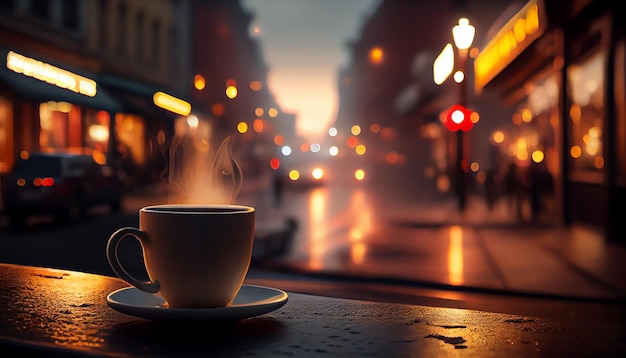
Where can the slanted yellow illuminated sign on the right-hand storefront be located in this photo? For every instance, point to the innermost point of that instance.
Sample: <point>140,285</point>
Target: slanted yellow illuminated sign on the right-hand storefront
<point>515,36</point>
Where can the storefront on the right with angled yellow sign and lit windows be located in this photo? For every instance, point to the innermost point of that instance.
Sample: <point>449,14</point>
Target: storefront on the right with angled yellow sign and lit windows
<point>560,65</point>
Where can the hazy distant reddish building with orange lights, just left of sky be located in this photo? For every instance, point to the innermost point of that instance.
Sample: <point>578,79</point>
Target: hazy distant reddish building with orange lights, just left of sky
<point>230,81</point>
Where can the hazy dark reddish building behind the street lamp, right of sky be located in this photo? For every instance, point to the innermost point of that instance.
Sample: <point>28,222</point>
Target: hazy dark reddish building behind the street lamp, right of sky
<point>387,89</point>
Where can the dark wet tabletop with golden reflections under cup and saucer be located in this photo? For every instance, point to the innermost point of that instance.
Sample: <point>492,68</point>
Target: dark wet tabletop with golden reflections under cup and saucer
<point>65,313</point>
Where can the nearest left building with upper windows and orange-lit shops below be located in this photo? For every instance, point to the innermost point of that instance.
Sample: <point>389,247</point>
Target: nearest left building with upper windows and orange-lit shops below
<point>119,49</point>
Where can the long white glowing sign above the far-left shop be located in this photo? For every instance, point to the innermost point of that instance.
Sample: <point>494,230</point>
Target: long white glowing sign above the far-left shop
<point>50,74</point>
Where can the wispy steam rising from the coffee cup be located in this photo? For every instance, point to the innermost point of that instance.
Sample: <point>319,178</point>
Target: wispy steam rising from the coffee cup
<point>197,173</point>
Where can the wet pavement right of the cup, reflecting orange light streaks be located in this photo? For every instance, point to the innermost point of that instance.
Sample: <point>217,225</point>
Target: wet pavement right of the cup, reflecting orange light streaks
<point>423,239</point>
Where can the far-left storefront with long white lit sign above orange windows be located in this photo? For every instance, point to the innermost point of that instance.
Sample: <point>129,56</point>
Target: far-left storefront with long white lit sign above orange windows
<point>49,107</point>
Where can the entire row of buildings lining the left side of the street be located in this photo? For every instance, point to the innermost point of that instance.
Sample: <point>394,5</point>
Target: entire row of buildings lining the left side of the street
<point>130,52</point>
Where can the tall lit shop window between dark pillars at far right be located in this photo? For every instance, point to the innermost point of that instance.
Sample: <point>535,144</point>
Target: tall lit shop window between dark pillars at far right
<point>586,114</point>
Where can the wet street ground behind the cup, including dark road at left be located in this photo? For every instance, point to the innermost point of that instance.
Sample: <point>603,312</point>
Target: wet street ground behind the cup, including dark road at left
<point>373,234</point>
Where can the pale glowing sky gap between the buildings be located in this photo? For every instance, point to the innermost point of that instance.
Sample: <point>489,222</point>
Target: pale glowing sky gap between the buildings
<point>304,45</point>
